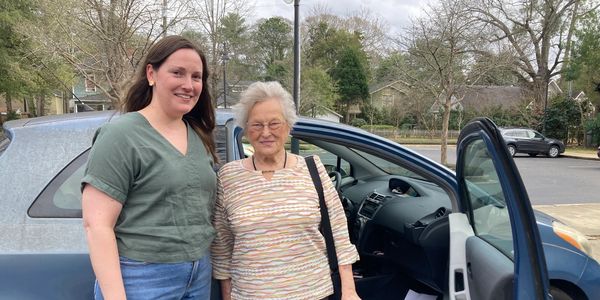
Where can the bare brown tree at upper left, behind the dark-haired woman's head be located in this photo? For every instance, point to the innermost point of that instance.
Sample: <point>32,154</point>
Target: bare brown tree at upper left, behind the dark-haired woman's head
<point>102,40</point>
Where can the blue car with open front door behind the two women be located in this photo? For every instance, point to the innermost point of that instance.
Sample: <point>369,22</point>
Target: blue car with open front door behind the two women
<point>419,227</point>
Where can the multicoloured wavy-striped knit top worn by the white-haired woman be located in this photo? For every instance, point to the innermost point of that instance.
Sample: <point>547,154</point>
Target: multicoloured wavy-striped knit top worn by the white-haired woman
<point>268,240</point>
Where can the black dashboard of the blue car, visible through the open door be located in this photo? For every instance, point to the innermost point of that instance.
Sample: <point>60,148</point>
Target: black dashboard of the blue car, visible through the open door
<point>400,221</point>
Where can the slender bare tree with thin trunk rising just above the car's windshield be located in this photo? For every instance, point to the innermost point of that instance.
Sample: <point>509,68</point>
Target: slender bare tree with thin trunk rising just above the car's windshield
<point>439,45</point>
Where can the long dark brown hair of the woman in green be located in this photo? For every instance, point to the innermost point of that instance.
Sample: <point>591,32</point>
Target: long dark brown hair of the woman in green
<point>202,116</point>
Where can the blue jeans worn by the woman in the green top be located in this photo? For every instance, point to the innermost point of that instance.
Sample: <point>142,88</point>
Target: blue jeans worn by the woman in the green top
<point>169,281</point>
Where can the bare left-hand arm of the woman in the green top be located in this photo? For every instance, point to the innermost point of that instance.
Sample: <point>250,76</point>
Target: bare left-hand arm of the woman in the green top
<point>100,213</point>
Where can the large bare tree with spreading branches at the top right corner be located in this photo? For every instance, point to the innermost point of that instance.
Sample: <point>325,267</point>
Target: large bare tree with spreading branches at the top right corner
<point>539,33</point>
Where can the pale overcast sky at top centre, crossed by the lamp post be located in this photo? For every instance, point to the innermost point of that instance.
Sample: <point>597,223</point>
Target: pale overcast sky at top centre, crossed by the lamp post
<point>396,13</point>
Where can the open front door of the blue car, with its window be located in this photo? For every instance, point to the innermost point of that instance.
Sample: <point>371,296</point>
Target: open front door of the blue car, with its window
<point>495,247</point>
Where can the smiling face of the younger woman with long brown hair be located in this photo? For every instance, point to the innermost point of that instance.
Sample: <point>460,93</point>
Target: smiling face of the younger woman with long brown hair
<point>177,82</point>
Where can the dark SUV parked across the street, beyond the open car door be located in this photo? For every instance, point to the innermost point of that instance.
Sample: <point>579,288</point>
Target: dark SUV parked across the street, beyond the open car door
<point>526,140</point>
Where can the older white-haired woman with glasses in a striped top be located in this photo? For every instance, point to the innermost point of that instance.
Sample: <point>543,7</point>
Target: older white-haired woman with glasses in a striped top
<point>268,244</point>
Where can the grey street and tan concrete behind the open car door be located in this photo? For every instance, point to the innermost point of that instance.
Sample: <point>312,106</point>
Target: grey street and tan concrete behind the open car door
<point>565,188</point>
